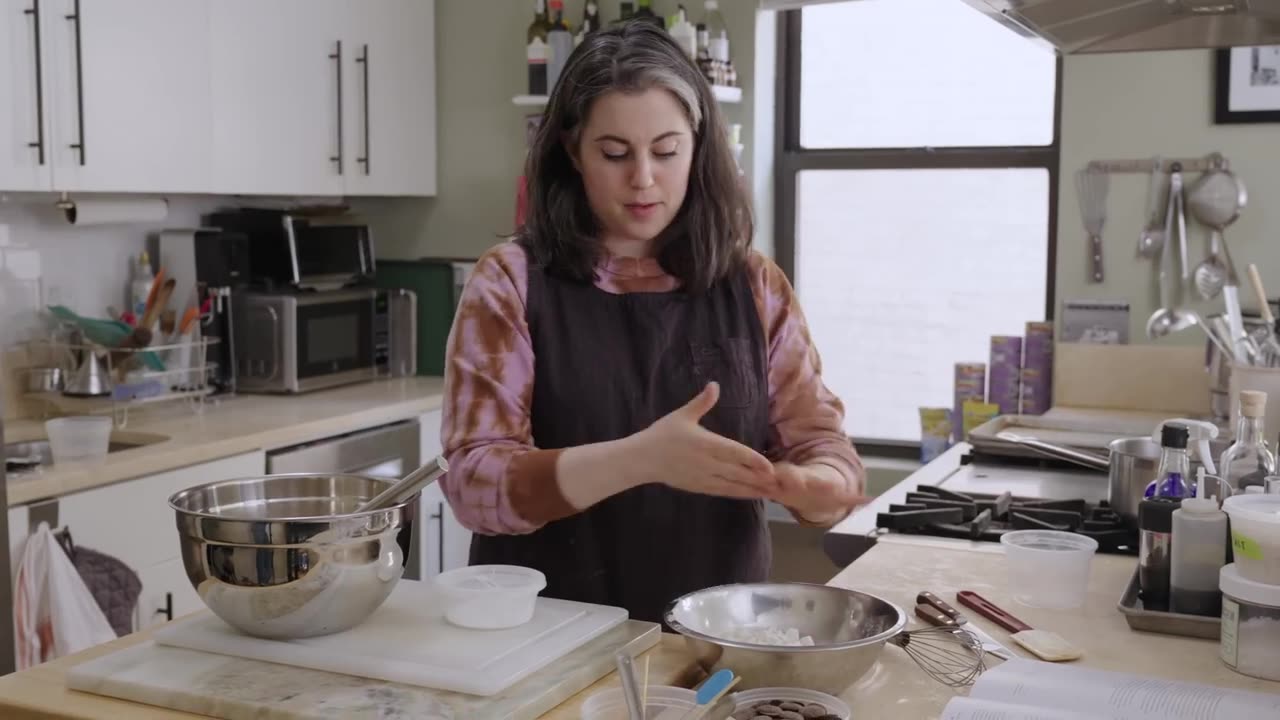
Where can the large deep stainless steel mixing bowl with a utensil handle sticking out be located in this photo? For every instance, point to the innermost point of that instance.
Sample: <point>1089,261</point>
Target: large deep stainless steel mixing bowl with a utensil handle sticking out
<point>287,557</point>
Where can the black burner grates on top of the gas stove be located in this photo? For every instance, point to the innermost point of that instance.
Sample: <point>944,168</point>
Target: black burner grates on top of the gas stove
<point>932,511</point>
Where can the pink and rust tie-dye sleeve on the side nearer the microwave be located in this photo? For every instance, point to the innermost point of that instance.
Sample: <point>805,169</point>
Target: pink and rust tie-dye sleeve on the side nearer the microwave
<point>499,482</point>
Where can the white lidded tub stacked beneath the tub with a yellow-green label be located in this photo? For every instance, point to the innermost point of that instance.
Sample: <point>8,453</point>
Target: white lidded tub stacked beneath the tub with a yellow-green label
<point>1251,626</point>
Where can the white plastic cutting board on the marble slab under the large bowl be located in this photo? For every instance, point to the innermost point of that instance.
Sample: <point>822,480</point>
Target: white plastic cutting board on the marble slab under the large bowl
<point>409,641</point>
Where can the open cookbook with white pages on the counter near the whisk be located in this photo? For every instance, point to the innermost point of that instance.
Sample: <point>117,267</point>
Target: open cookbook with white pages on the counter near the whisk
<point>1027,690</point>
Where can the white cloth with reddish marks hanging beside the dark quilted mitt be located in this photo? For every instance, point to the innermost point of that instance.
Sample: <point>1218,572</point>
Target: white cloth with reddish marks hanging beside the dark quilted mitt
<point>54,613</point>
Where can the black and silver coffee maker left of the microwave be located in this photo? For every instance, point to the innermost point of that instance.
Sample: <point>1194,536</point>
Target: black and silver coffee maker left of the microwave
<point>211,265</point>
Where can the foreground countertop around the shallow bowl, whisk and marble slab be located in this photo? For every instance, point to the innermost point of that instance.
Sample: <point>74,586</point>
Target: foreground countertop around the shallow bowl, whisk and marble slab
<point>895,687</point>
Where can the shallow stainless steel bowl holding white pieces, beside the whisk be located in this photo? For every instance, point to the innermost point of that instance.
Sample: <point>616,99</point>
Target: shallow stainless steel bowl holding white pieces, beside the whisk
<point>849,630</point>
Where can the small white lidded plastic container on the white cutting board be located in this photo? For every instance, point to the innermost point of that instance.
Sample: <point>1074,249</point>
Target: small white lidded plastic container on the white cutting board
<point>491,598</point>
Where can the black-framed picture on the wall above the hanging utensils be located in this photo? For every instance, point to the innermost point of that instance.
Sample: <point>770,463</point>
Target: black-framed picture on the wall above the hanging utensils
<point>1247,85</point>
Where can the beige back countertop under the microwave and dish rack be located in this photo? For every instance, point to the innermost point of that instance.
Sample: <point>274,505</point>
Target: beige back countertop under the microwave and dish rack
<point>227,427</point>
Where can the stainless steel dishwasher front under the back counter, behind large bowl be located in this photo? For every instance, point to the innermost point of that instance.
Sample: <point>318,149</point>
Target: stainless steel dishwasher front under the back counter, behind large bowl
<point>387,452</point>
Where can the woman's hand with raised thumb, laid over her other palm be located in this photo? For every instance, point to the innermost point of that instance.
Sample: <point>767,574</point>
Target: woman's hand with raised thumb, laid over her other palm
<point>679,453</point>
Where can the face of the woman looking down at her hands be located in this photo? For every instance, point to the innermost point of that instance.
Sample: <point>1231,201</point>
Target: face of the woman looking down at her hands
<point>634,154</point>
